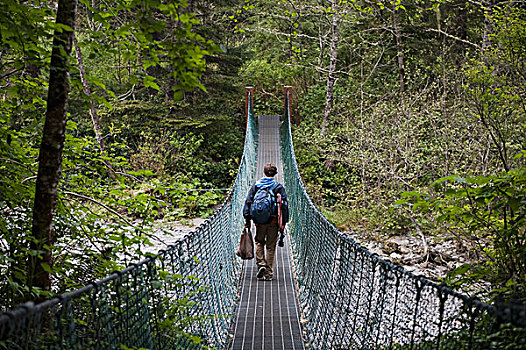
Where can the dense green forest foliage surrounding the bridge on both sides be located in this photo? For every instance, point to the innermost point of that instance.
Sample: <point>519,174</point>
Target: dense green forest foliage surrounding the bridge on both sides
<point>409,115</point>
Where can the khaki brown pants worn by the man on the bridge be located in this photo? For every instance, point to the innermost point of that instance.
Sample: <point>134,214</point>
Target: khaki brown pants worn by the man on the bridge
<point>266,236</point>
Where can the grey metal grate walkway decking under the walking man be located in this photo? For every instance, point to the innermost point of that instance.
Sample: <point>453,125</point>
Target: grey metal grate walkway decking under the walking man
<point>267,316</point>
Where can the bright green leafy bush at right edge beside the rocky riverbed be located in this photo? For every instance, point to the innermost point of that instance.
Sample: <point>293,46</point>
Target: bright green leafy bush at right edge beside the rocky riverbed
<point>490,211</point>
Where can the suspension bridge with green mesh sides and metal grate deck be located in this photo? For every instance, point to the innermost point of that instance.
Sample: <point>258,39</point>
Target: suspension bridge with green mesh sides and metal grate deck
<point>328,292</point>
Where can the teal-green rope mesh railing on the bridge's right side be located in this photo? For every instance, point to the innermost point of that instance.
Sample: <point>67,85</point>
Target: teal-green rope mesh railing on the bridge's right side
<point>352,299</point>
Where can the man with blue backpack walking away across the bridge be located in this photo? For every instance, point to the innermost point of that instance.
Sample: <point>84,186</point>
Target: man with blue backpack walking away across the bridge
<point>266,201</point>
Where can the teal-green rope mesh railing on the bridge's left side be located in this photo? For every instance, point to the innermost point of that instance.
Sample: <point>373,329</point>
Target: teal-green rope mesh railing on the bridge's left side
<point>150,304</point>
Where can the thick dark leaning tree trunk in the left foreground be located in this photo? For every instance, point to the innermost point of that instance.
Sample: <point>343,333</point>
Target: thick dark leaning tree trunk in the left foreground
<point>50,157</point>
